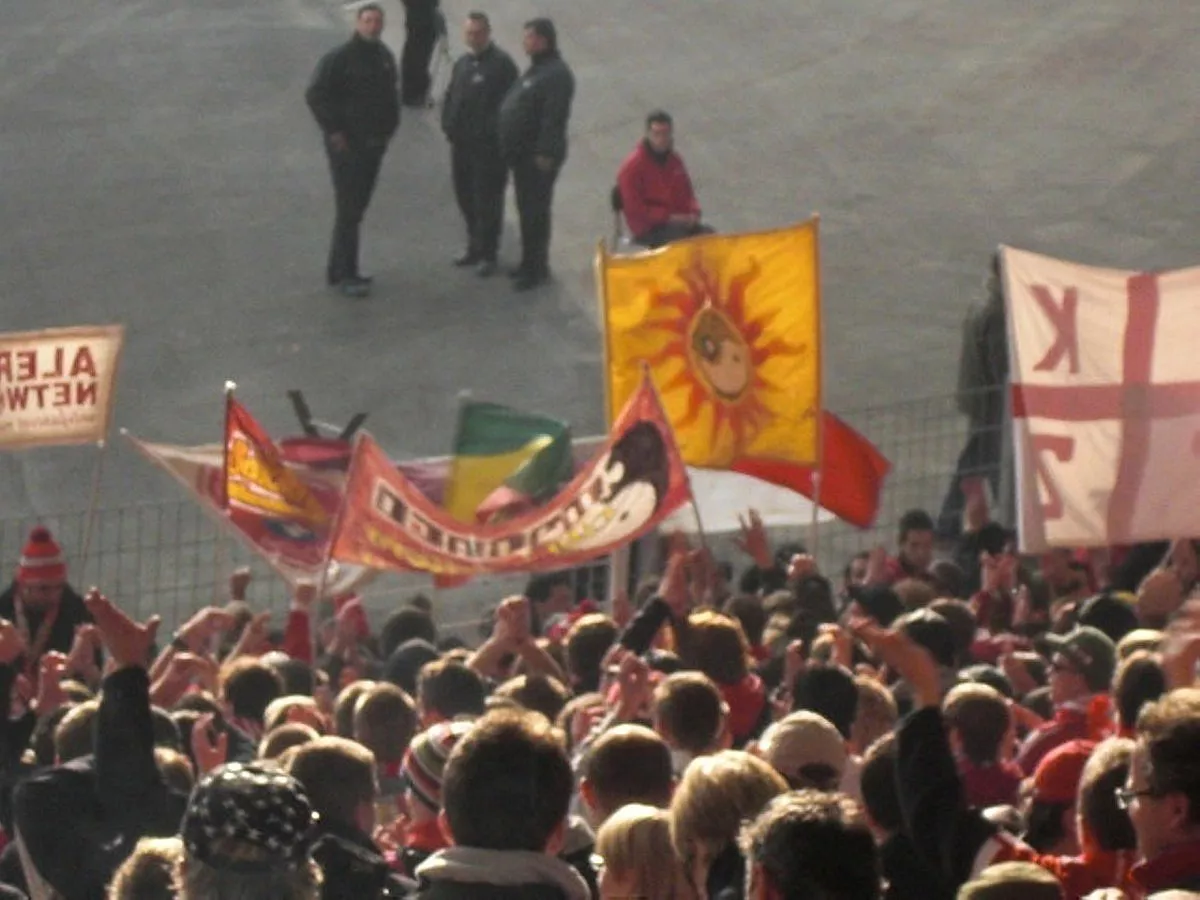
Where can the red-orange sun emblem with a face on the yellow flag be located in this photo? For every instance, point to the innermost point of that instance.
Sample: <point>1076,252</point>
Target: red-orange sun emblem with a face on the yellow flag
<point>706,327</point>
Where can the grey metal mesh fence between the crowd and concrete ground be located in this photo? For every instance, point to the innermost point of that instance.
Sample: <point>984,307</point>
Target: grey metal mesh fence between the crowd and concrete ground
<point>171,557</point>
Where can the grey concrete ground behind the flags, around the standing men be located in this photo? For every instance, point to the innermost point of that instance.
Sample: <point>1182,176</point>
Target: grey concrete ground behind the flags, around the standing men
<point>160,170</point>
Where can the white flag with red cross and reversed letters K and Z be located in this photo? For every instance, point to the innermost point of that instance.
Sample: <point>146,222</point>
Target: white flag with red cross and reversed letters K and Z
<point>1106,371</point>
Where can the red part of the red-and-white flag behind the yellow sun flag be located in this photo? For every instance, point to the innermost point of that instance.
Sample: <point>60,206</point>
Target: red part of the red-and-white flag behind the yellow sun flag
<point>853,473</point>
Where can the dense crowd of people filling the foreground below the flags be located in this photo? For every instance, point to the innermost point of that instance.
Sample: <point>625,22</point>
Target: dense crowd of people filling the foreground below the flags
<point>937,722</point>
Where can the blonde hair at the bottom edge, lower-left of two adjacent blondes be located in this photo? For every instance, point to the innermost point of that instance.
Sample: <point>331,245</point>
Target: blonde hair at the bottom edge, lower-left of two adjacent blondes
<point>635,845</point>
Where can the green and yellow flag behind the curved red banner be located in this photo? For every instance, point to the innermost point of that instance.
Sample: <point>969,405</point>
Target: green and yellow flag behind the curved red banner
<point>507,459</point>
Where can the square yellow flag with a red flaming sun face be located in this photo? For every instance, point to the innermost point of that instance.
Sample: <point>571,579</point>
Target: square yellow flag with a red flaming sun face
<point>730,328</point>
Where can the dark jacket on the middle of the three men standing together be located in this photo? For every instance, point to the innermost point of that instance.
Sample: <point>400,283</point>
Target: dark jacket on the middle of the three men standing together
<point>478,86</point>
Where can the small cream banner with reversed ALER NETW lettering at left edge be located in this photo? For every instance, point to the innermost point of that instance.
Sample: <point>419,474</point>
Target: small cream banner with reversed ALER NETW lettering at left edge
<point>57,387</point>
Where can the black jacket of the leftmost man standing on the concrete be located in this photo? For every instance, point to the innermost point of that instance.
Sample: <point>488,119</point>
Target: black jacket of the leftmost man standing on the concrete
<point>355,93</point>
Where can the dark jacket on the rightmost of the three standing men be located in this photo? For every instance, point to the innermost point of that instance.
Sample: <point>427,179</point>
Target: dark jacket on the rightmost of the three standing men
<point>536,111</point>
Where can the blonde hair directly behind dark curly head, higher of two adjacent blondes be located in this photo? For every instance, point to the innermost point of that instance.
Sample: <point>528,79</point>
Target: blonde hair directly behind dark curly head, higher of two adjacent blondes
<point>716,796</point>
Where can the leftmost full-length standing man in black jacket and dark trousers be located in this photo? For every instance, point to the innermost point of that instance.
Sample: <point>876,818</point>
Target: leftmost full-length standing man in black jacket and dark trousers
<point>353,99</point>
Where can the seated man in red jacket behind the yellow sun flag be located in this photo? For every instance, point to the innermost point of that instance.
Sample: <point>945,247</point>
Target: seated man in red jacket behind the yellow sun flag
<point>656,193</point>
